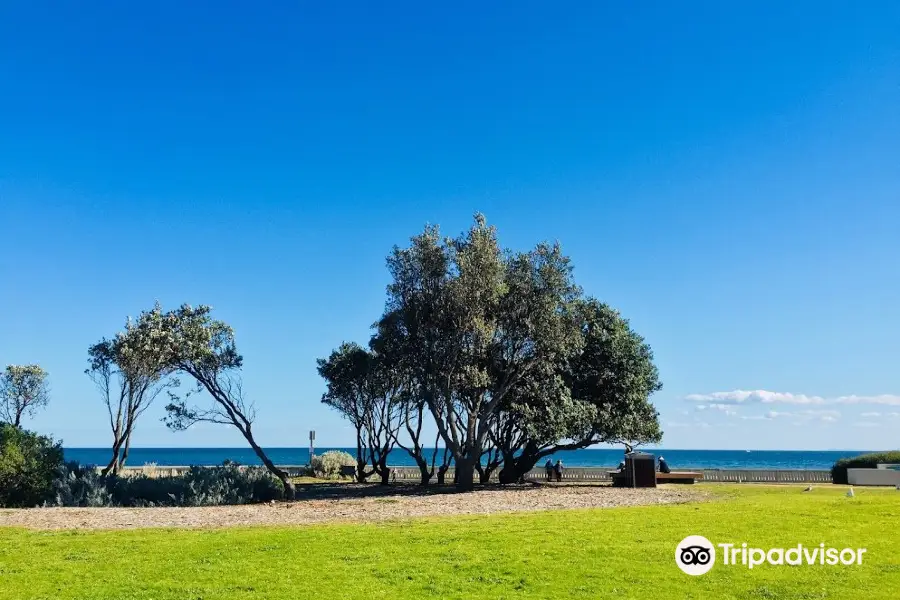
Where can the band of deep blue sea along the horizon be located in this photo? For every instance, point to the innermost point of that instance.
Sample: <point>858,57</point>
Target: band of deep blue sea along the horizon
<point>709,459</point>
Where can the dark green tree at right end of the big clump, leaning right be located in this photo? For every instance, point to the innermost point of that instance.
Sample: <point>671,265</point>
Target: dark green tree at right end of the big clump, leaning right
<point>601,394</point>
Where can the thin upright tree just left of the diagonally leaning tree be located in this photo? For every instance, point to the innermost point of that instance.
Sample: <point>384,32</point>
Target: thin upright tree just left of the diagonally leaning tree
<point>130,372</point>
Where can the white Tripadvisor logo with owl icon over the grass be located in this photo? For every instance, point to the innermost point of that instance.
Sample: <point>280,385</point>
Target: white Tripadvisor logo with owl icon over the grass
<point>696,555</point>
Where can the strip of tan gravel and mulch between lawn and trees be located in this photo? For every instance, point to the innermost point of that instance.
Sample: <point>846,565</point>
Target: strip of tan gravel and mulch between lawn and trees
<point>351,503</point>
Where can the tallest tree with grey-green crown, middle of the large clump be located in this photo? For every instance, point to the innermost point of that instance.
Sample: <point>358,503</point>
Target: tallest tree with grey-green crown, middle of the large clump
<point>470,322</point>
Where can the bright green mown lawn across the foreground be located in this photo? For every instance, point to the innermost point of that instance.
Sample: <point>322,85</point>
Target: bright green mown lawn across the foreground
<point>611,553</point>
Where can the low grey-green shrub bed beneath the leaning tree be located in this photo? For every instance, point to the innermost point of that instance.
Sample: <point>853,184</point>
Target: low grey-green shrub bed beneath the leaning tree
<point>199,486</point>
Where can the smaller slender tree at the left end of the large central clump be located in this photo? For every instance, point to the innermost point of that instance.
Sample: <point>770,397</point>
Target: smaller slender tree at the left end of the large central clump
<point>368,395</point>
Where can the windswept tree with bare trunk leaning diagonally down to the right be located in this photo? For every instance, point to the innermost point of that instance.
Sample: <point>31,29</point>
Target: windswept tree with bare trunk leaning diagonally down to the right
<point>204,348</point>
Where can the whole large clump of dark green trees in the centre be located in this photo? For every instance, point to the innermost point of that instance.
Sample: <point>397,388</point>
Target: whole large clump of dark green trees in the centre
<point>500,352</point>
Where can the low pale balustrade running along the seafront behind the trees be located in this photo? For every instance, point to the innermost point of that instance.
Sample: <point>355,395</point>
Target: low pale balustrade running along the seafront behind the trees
<point>572,474</point>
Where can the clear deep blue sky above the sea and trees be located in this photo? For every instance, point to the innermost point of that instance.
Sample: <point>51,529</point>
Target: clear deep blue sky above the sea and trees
<point>727,176</point>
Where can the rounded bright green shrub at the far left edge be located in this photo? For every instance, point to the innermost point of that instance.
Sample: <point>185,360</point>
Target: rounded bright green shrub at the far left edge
<point>28,465</point>
